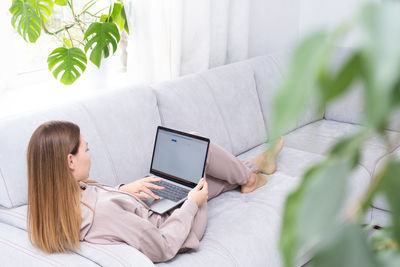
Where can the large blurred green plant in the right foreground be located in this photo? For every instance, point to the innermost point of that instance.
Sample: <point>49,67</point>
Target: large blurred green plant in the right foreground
<point>318,221</point>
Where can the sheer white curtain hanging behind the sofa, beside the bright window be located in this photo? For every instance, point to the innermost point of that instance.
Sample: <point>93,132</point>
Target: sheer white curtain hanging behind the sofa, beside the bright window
<point>170,38</point>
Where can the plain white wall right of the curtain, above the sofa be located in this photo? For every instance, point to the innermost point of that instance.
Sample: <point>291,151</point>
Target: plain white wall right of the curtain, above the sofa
<point>279,24</point>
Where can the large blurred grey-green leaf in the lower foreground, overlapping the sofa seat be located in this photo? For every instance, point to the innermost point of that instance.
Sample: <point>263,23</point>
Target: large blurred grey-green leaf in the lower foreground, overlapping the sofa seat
<point>306,221</point>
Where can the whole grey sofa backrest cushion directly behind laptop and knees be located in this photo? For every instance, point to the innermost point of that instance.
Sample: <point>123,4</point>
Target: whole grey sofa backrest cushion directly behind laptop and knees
<point>221,103</point>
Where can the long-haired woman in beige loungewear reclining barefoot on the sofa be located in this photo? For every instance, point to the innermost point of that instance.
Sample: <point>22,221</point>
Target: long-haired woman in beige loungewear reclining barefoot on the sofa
<point>64,207</point>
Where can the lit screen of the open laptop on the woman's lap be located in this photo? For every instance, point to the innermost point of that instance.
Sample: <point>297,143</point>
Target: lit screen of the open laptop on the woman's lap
<point>179,155</point>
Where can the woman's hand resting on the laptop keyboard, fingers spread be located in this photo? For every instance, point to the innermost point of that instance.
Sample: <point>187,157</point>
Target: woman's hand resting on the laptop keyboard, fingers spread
<point>142,185</point>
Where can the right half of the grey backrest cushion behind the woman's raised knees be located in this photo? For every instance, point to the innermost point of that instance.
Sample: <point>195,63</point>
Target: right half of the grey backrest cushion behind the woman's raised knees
<point>234,91</point>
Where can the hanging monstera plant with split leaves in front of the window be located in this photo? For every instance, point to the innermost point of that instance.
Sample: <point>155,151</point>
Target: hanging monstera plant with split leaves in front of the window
<point>81,33</point>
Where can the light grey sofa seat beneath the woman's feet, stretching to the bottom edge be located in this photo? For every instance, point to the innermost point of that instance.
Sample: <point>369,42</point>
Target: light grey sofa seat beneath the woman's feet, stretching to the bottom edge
<point>238,240</point>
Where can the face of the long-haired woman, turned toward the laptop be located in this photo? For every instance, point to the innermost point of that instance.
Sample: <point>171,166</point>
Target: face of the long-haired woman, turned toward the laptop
<point>79,164</point>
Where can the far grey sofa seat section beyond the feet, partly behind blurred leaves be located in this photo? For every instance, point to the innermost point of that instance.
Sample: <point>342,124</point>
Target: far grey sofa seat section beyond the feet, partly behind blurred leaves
<point>318,137</point>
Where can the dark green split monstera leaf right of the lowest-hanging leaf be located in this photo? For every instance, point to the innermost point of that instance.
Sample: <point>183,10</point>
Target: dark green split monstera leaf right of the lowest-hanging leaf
<point>102,34</point>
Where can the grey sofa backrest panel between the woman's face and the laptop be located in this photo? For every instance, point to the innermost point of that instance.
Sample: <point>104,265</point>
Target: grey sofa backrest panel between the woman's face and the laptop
<point>126,120</point>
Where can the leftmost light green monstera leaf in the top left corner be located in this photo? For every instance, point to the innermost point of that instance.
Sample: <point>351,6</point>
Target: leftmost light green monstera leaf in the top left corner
<point>25,20</point>
